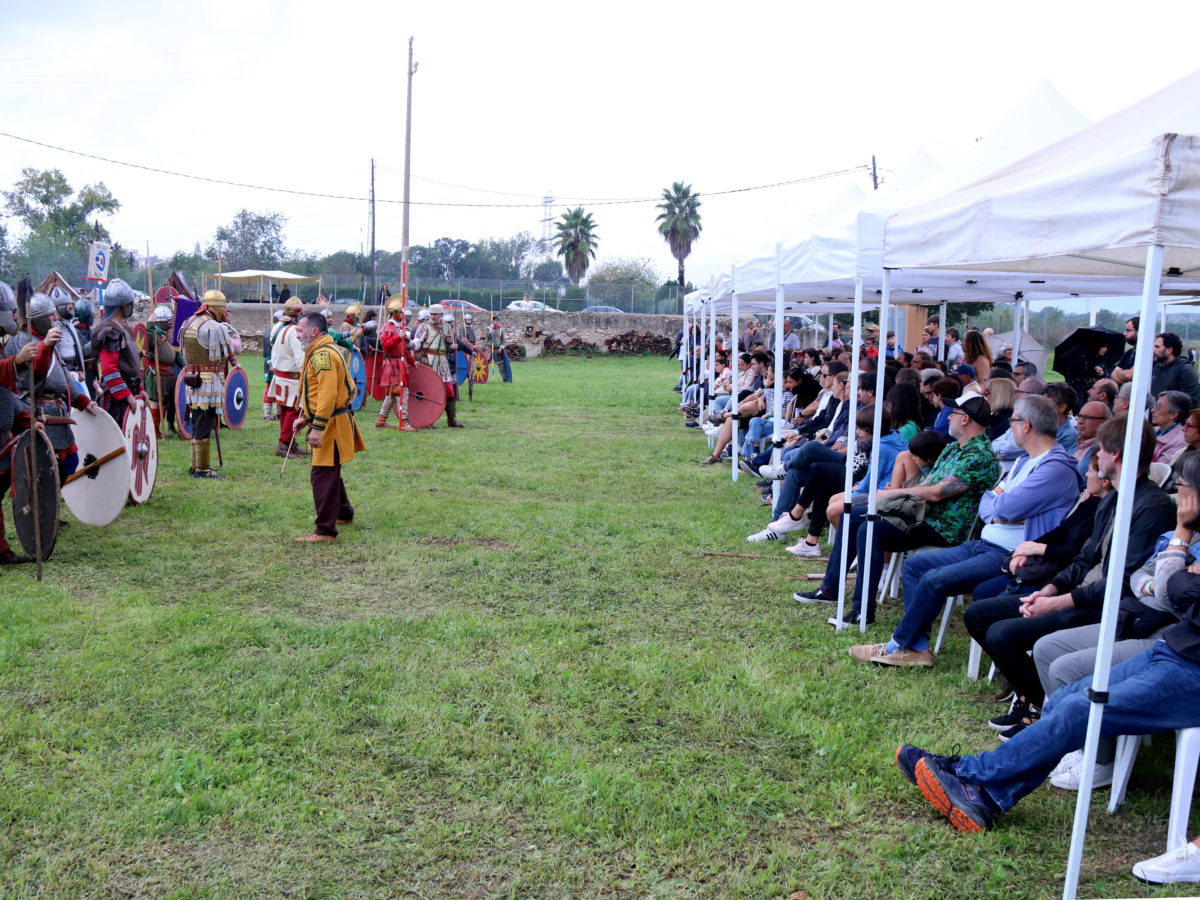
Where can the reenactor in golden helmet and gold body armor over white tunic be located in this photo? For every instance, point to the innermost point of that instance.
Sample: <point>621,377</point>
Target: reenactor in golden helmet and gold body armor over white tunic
<point>209,345</point>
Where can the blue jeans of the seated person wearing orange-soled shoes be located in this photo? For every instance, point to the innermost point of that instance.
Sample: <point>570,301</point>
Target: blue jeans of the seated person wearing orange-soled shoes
<point>1153,693</point>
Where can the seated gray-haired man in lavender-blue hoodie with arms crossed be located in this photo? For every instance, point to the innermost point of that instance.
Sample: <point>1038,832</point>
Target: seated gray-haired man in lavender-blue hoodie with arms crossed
<point>1033,500</point>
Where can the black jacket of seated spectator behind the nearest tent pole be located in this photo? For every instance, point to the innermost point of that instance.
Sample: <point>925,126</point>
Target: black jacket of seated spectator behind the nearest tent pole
<point>1153,514</point>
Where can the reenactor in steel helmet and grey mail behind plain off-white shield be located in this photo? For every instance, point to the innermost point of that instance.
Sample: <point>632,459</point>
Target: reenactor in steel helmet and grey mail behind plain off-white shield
<point>56,393</point>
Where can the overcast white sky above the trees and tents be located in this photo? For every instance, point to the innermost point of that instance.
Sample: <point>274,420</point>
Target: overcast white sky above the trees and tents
<point>512,101</point>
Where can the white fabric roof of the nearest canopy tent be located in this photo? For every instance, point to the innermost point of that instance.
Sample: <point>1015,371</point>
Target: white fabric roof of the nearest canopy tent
<point>1088,205</point>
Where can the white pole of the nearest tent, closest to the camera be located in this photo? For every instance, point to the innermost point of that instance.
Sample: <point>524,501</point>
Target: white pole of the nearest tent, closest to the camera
<point>1126,487</point>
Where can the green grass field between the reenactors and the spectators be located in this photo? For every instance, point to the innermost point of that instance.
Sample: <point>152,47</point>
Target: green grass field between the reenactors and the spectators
<point>507,679</point>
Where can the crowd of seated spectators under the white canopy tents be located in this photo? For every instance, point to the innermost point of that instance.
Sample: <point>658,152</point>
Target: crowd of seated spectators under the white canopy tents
<point>1001,487</point>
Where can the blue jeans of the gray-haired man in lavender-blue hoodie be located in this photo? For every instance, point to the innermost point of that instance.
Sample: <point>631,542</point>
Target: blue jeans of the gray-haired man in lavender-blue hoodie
<point>932,578</point>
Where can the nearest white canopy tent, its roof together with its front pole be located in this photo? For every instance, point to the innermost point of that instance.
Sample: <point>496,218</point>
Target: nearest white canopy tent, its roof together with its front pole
<point>1119,200</point>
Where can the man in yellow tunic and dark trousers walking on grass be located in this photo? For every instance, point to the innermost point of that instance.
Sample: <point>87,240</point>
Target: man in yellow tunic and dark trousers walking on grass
<point>326,397</point>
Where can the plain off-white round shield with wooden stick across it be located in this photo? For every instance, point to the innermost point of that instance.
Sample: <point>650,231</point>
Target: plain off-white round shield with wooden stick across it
<point>98,490</point>
